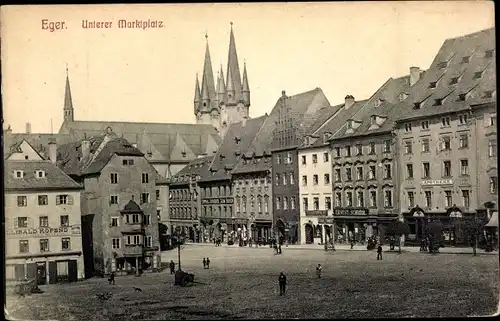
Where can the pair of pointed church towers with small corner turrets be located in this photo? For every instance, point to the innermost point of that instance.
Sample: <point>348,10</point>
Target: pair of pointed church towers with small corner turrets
<point>215,101</point>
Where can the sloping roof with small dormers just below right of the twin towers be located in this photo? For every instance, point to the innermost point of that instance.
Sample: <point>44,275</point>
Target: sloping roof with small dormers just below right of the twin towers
<point>235,143</point>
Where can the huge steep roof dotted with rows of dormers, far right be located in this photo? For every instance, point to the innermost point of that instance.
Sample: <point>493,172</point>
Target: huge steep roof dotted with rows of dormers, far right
<point>453,52</point>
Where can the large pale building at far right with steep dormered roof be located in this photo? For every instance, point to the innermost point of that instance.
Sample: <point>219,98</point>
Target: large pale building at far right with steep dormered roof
<point>446,138</point>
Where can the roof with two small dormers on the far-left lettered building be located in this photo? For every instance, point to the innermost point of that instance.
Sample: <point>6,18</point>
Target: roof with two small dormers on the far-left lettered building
<point>54,178</point>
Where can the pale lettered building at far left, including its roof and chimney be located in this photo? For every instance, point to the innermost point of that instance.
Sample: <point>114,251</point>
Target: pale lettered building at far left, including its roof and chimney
<point>42,218</point>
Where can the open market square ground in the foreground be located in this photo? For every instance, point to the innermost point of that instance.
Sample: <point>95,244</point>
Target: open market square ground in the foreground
<point>242,283</point>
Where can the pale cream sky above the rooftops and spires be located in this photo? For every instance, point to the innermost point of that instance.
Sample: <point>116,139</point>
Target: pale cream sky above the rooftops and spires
<point>149,75</point>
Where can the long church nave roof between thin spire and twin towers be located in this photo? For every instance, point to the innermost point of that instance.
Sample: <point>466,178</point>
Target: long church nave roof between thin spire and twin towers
<point>162,137</point>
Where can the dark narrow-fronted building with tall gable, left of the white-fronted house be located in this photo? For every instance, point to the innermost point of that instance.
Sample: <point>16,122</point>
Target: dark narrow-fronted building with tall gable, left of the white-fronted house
<point>294,115</point>
